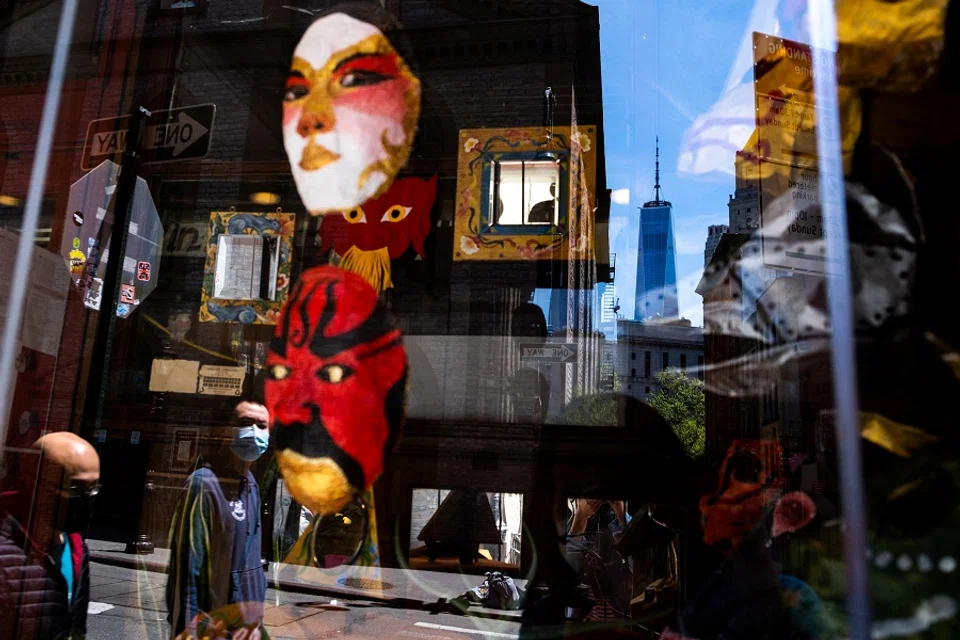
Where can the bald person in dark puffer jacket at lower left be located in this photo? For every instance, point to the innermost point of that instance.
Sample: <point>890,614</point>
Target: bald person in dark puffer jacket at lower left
<point>44,569</point>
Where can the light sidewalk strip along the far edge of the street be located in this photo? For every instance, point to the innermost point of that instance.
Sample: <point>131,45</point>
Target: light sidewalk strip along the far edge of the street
<point>400,588</point>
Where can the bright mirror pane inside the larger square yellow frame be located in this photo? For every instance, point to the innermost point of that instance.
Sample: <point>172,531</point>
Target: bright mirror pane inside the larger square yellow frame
<point>525,192</point>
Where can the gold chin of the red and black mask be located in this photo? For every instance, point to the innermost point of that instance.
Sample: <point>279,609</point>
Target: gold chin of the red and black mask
<point>317,483</point>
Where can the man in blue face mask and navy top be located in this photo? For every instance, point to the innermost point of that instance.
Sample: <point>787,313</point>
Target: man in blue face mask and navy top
<point>216,576</point>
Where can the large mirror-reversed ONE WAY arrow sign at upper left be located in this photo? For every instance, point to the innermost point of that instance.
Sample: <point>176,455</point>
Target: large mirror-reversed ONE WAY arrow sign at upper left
<point>170,135</point>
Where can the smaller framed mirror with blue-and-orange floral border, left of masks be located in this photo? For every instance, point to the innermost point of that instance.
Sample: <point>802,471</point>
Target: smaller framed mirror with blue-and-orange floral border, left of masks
<point>247,274</point>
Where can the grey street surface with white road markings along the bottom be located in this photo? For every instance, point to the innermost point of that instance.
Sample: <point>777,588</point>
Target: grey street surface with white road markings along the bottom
<point>128,603</point>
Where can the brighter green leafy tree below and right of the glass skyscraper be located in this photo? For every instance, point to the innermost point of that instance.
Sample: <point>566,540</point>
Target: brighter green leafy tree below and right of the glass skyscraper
<point>682,403</point>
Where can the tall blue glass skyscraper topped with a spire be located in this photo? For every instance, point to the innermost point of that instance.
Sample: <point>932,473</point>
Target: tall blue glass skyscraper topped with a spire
<point>656,294</point>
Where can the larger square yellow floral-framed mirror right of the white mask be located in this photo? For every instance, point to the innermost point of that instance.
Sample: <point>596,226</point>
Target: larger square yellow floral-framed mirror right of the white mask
<point>525,194</point>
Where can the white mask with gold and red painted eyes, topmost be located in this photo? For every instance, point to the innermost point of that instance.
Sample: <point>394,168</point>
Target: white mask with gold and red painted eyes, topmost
<point>349,114</point>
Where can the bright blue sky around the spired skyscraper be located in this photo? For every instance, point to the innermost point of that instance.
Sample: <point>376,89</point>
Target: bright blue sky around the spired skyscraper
<point>666,63</point>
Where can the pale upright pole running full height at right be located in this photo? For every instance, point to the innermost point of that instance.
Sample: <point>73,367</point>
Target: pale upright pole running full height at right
<point>823,30</point>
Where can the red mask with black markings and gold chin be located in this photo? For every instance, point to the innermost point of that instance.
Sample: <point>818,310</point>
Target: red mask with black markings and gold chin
<point>336,388</point>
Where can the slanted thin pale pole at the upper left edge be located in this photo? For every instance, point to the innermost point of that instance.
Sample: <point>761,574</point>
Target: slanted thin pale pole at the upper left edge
<point>28,228</point>
